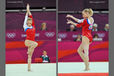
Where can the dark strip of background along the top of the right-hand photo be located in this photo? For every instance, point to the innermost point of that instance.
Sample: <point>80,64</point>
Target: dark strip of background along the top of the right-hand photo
<point>79,5</point>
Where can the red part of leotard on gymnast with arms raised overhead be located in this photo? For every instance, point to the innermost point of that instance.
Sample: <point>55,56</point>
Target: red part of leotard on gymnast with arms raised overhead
<point>31,32</point>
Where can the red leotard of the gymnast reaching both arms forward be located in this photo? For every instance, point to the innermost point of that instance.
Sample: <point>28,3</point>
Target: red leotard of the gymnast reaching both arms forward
<point>86,29</point>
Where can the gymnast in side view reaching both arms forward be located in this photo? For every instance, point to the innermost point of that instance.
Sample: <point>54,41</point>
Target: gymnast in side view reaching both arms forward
<point>86,24</point>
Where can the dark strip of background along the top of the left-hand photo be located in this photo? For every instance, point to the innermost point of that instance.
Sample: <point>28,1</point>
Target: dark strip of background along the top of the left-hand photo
<point>35,4</point>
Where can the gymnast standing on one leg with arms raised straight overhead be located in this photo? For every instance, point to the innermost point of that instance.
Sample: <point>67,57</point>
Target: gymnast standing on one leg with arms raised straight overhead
<point>29,28</point>
